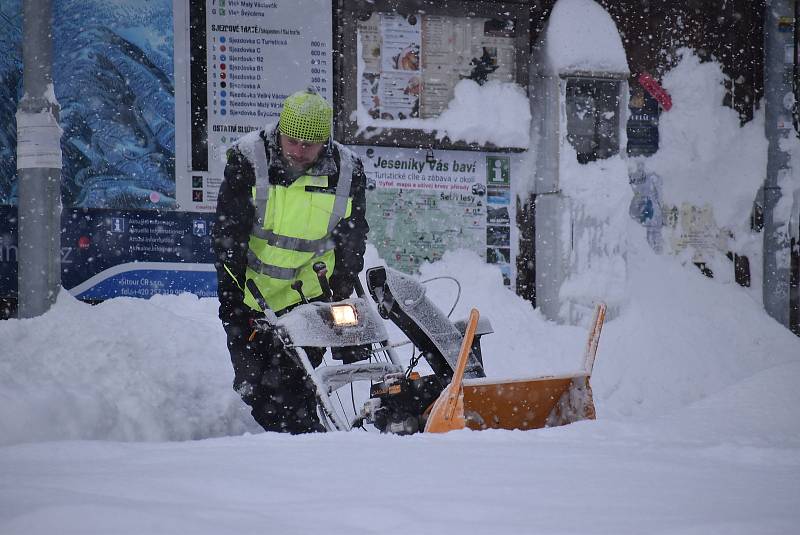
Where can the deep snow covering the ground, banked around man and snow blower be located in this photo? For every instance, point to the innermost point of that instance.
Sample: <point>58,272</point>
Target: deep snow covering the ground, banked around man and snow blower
<point>697,430</point>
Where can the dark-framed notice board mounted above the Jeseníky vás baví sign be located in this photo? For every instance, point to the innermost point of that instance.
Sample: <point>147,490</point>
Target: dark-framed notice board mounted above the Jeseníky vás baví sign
<point>407,61</point>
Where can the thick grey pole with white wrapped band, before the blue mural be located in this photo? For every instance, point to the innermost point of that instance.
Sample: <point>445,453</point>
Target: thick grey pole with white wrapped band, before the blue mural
<point>39,166</point>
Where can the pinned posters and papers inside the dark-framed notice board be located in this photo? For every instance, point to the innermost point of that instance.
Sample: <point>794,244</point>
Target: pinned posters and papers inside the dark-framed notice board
<point>410,65</point>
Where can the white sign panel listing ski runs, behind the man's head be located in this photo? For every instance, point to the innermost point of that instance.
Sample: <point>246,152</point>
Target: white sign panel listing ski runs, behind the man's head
<point>257,53</point>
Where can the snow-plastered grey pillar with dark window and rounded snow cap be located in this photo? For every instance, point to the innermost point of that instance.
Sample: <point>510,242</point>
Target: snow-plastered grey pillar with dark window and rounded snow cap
<point>579,98</point>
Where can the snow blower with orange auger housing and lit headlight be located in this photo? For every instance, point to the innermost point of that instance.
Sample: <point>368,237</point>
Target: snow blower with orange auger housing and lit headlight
<point>455,395</point>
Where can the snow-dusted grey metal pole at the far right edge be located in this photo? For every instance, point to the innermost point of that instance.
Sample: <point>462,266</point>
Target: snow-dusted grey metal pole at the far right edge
<point>778,70</point>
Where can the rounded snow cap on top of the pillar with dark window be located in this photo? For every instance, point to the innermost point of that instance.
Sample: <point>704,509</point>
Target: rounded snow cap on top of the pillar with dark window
<point>581,36</point>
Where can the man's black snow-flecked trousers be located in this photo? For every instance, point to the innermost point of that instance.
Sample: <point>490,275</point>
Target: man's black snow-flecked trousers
<point>273,383</point>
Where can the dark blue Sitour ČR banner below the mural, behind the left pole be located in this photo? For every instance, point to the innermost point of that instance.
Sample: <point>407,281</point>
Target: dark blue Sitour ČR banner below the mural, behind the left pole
<point>113,253</point>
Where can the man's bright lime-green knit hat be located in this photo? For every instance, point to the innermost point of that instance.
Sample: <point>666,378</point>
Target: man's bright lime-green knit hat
<point>306,116</point>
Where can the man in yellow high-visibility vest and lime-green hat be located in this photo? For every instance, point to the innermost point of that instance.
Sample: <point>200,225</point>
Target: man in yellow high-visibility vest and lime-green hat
<point>291,219</point>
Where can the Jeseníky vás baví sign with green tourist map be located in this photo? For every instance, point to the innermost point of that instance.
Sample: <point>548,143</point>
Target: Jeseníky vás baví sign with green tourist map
<point>423,203</point>
